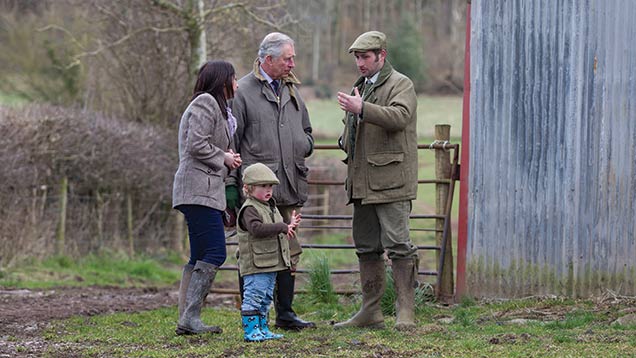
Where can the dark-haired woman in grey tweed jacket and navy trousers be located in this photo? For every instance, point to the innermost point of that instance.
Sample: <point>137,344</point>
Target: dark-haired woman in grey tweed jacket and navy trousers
<point>205,158</point>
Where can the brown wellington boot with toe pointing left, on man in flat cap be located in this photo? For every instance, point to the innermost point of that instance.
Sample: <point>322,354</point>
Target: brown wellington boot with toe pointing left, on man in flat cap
<point>373,279</point>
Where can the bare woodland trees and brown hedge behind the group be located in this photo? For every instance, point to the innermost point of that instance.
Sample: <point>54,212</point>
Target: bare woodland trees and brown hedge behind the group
<point>91,93</point>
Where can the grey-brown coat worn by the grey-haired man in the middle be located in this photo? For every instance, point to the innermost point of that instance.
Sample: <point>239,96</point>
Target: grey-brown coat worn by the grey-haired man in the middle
<point>274,130</point>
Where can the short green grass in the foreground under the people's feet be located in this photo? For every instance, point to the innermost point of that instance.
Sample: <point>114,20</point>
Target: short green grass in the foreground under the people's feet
<point>477,330</point>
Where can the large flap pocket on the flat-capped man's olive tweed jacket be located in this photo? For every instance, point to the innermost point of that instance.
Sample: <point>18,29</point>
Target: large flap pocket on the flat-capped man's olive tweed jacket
<point>386,170</point>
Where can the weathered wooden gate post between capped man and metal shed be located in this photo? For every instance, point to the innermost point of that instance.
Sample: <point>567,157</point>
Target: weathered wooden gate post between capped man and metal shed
<point>443,171</point>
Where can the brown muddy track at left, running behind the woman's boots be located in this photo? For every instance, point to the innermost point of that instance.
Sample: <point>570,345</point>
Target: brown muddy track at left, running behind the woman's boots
<point>25,314</point>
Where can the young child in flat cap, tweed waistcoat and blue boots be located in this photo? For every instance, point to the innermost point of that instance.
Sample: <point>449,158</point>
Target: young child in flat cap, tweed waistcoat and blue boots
<point>264,249</point>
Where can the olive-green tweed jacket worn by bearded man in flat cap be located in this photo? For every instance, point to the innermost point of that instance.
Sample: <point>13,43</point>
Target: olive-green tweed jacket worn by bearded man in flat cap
<point>382,151</point>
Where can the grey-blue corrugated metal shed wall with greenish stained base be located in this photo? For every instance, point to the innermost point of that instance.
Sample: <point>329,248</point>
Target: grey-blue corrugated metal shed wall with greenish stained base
<point>552,148</point>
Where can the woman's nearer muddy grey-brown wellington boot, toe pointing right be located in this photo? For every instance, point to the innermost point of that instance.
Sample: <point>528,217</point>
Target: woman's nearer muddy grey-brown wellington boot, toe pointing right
<point>200,283</point>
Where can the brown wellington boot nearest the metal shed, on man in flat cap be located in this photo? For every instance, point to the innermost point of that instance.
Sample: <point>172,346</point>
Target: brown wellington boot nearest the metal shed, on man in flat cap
<point>404,280</point>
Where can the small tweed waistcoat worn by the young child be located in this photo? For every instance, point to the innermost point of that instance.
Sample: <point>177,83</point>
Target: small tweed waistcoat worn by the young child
<point>262,254</point>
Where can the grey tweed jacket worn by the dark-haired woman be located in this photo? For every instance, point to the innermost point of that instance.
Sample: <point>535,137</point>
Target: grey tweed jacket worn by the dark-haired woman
<point>204,138</point>
